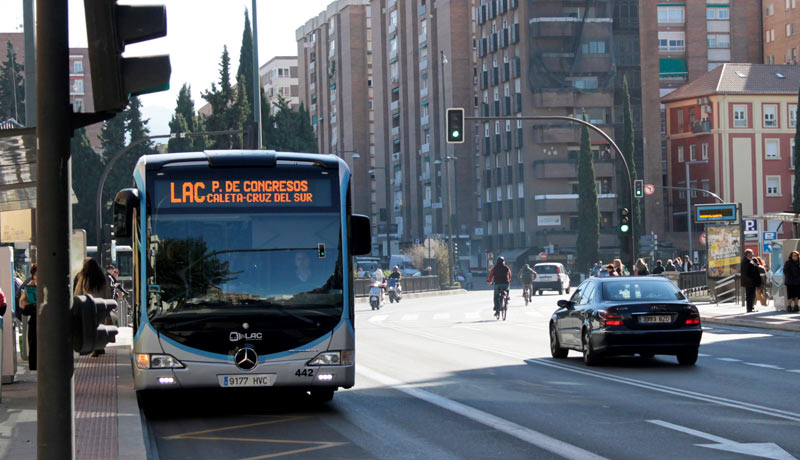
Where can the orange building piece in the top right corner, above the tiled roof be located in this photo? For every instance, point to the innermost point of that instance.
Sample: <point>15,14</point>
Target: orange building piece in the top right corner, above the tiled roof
<point>781,38</point>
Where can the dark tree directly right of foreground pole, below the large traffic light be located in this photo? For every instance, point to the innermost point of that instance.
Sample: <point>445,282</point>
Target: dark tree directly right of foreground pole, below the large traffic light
<point>87,165</point>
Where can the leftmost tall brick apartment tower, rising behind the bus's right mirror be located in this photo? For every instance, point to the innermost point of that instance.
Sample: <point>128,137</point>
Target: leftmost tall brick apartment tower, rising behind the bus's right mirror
<point>334,78</point>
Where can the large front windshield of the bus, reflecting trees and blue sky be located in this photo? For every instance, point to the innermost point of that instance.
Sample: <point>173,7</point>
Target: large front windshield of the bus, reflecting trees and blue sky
<point>244,263</point>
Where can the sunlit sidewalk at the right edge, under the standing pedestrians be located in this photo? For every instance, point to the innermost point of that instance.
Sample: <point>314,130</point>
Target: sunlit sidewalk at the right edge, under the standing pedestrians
<point>732,314</point>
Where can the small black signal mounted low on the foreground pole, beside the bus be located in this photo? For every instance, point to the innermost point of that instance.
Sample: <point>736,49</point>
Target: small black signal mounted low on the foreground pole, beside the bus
<point>88,331</point>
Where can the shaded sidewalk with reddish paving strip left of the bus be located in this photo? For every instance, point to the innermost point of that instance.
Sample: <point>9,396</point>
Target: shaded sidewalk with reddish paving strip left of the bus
<point>107,421</point>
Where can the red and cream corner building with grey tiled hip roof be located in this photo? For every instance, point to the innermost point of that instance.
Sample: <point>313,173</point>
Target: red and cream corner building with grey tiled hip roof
<point>741,120</point>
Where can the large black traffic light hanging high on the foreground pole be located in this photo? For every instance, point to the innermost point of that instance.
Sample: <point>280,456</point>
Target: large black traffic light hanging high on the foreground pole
<point>109,27</point>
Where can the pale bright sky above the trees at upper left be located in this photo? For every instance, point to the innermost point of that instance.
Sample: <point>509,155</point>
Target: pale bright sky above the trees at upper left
<point>197,30</point>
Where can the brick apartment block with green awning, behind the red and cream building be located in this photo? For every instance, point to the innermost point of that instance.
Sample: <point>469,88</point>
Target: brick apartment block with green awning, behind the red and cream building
<point>680,42</point>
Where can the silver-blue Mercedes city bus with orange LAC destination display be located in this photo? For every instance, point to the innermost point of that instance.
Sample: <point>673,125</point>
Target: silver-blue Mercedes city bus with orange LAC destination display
<point>242,271</point>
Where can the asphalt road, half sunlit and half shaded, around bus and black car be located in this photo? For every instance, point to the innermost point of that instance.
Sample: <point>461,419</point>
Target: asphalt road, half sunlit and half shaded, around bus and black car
<point>440,378</point>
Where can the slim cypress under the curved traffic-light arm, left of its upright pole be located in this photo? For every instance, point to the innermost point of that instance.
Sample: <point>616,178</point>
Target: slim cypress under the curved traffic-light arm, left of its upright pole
<point>587,246</point>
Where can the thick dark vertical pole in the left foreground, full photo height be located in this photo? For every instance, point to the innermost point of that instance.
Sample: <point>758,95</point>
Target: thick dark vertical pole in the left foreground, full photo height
<point>54,341</point>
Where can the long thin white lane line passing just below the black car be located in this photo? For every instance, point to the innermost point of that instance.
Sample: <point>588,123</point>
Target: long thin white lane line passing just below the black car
<point>741,405</point>
